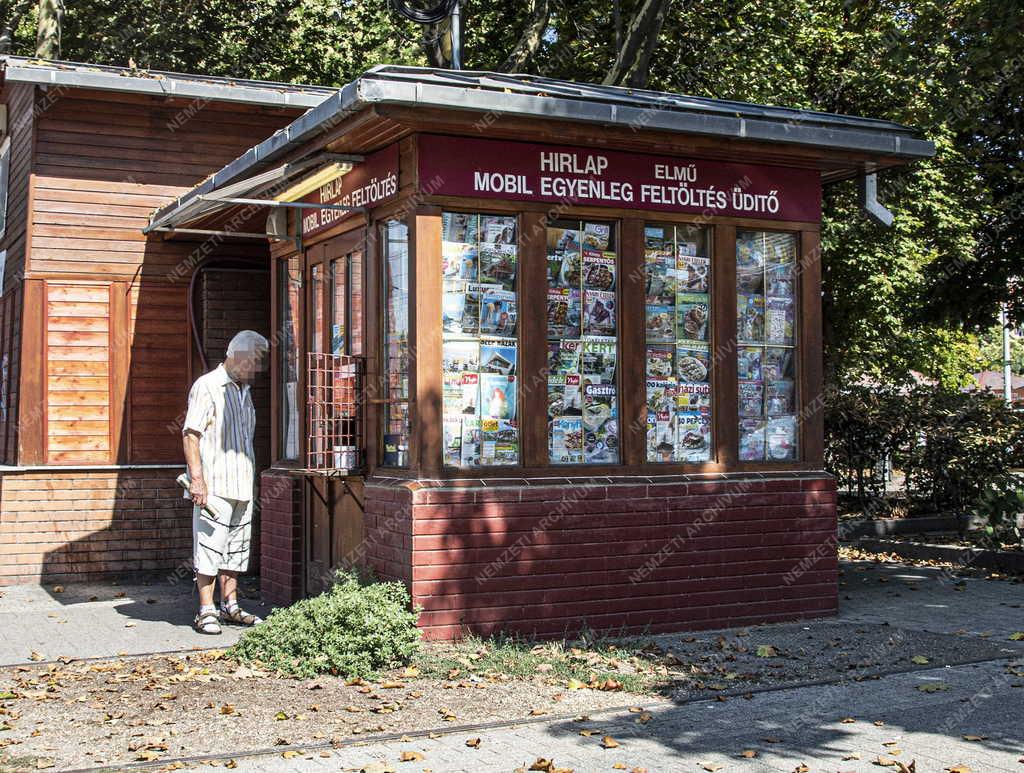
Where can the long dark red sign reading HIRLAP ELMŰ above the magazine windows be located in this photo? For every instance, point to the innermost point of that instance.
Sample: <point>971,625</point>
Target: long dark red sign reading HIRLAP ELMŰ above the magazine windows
<point>526,171</point>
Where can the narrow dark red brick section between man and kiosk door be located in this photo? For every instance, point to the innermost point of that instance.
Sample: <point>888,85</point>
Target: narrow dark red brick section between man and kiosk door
<point>281,549</point>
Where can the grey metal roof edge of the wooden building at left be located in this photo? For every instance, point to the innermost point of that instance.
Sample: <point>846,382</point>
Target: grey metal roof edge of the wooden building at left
<point>158,84</point>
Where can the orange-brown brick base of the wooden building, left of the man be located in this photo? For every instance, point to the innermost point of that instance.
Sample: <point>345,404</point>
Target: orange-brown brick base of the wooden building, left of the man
<point>78,526</point>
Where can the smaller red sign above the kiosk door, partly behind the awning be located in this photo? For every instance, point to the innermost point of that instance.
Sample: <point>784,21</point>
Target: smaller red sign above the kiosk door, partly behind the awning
<point>372,182</point>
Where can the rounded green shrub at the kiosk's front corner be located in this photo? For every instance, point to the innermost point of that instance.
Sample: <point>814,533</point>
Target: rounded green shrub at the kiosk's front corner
<point>355,629</point>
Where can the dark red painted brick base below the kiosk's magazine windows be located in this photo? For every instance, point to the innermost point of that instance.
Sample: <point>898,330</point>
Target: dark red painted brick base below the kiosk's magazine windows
<point>649,554</point>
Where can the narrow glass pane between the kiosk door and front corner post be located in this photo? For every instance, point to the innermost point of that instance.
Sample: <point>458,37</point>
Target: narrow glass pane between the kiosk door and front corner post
<point>397,353</point>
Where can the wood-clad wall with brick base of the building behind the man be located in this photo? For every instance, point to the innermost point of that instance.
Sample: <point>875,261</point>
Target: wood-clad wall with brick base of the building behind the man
<point>106,349</point>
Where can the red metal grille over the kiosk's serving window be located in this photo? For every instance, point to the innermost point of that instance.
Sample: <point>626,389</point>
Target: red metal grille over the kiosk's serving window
<point>334,408</point>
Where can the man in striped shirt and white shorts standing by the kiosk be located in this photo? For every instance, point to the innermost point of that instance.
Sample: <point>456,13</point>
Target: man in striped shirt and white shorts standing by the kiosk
<point>219,444</point>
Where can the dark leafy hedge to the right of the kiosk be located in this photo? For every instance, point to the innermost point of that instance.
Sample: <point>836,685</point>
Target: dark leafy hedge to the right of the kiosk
<point>951,446</point>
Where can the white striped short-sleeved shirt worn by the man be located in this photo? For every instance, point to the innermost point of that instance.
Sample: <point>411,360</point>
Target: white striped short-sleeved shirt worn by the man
<point>222,412</point>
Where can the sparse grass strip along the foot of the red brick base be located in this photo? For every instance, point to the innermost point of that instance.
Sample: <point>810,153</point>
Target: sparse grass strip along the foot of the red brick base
<point>601,663</point>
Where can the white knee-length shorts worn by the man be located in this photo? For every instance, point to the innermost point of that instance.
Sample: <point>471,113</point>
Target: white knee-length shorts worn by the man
<point>223,543</point>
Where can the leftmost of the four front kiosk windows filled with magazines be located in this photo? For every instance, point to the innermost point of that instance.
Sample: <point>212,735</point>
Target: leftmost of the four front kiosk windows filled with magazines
<point>481,354</point>
